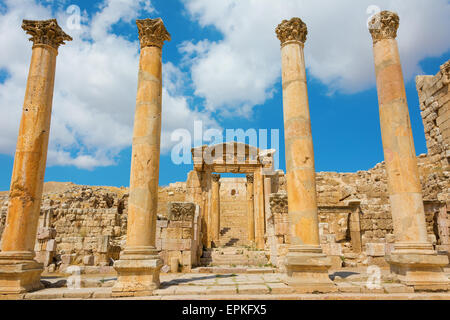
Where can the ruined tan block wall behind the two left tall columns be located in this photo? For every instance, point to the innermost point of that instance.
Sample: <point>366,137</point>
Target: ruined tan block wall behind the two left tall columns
<point>89,223</point>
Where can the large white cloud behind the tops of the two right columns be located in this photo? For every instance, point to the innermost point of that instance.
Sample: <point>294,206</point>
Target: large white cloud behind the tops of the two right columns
<point>240,71</point>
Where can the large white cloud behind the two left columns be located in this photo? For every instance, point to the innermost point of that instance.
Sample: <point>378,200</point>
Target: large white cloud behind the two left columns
<point>95,87</point>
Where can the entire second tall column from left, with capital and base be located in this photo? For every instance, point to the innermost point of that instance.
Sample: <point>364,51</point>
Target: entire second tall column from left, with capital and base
<point>139,265</point>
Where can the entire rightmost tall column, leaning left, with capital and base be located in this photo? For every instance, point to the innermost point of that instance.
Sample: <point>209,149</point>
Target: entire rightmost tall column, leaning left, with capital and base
<point>413,258</point>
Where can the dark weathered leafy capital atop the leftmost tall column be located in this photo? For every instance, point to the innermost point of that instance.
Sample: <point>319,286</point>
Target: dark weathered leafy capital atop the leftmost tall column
<point>46,32</point>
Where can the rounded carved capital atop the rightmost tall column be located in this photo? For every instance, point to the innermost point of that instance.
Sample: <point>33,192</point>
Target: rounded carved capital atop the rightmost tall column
<point>384,25</point>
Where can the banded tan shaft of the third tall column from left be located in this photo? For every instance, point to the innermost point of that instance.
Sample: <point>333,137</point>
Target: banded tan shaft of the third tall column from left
<point>301,175</point>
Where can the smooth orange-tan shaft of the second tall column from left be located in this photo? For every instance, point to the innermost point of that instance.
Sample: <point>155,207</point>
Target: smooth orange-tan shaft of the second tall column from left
<point>143,202</point>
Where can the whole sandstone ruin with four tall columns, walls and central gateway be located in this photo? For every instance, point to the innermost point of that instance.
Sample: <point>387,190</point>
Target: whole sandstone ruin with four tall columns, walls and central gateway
<point>301,224</point>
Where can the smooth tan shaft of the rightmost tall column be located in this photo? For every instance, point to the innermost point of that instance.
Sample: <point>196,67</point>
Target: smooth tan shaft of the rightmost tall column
<point>405,190</point>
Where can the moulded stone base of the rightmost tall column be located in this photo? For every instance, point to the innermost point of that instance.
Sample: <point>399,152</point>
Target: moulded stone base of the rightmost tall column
<point>423,271</point>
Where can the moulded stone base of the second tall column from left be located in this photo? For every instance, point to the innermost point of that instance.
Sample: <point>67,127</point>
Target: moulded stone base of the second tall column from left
<point>138,272</point>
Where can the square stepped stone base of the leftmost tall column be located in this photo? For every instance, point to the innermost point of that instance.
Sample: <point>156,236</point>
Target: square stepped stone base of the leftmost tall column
<point>19,273</point>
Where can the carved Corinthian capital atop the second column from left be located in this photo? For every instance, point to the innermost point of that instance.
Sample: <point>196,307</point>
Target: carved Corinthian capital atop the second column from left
<point>152,33</point>
